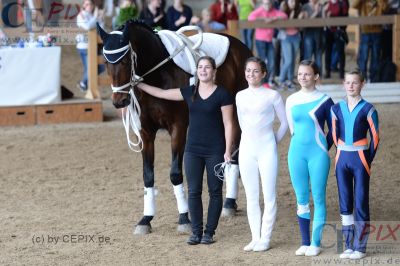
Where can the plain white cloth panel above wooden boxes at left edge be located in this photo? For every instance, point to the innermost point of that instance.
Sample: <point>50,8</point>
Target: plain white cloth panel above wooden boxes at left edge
<point>30,76</point>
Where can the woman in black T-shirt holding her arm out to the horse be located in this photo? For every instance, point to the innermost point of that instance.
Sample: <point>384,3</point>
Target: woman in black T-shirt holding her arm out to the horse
<point>209,142</point>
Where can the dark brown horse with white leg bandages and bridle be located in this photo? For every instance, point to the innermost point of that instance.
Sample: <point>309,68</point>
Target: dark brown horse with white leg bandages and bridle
<point>138,50</point>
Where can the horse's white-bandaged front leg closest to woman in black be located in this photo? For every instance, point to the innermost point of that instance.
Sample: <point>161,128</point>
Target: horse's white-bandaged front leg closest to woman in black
<point>178,138</point>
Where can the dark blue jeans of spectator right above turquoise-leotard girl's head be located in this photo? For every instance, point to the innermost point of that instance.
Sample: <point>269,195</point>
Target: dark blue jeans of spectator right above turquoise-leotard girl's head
<point>313,47</point>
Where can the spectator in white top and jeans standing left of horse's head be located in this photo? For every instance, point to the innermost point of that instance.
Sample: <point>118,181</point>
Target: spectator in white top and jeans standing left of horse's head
<point>87,19</point>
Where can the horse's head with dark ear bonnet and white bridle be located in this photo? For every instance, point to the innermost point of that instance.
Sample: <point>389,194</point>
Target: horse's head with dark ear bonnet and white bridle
<point>118,54</point>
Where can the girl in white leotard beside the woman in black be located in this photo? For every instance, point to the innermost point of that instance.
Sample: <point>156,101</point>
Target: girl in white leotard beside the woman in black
<point>256,108</point>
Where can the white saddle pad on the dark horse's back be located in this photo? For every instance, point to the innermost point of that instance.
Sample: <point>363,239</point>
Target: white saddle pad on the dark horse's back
<point>213,45</point>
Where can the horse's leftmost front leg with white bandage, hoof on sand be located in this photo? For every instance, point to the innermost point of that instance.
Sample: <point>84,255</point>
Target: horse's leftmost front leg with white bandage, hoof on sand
<point>144,226</point>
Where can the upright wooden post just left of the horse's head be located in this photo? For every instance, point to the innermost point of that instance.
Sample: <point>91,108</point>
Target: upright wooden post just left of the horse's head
<point>93,87</point>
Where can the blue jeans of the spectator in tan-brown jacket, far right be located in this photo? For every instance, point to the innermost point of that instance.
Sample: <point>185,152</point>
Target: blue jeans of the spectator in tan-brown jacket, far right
<point>369,41</point>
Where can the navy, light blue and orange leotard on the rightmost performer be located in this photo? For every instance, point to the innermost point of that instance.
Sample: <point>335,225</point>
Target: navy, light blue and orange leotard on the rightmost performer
<point>353,163</point>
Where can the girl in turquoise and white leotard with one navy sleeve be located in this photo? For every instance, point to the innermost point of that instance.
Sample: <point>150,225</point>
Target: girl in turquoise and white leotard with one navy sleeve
<point>307,111</point>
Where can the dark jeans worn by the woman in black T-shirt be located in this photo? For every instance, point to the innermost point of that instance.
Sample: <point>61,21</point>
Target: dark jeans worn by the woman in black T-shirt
<point>194,169</point>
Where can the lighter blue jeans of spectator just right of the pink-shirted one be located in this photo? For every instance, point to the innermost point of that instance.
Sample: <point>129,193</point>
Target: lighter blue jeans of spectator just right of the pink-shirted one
<point>290,46</point>
